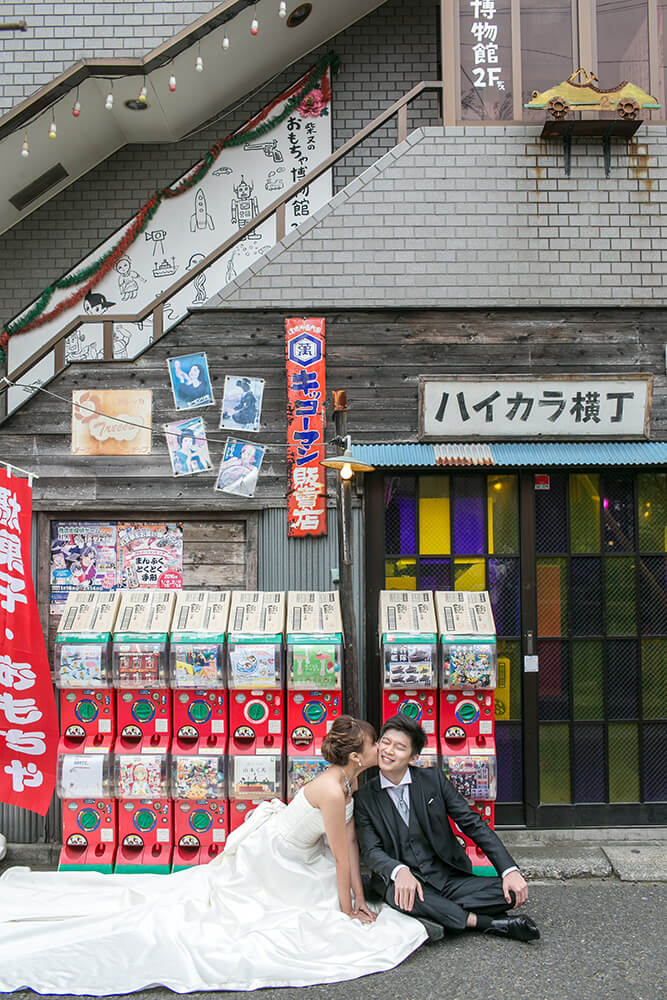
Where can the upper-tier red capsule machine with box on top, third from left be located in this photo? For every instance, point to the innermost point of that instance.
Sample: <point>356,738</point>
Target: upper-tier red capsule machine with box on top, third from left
<point>197,670</point>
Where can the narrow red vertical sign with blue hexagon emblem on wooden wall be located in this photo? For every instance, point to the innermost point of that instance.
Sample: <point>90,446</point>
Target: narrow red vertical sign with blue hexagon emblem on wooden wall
<point>306,397</point>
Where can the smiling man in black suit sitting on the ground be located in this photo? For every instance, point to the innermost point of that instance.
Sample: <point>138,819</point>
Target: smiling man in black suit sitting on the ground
<point>417,863</point>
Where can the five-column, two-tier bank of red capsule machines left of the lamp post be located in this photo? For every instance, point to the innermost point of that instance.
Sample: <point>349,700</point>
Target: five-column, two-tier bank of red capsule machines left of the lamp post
<point>178,709</point>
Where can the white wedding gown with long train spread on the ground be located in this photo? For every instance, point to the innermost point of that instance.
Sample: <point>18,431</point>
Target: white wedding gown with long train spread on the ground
<point>264,913</point>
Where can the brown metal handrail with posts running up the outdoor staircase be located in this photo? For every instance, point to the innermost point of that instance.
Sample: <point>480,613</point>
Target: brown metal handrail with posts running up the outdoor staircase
<point>155,308</point>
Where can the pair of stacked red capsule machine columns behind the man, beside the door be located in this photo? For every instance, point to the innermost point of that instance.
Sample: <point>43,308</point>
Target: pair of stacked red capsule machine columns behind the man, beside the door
<point>439,667</point>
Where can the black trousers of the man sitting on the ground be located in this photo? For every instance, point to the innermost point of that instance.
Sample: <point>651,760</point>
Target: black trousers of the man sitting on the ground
<point>462,894</point>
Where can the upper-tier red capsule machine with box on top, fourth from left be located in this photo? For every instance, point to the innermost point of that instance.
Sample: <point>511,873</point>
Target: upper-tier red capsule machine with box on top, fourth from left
<point>255,672</point>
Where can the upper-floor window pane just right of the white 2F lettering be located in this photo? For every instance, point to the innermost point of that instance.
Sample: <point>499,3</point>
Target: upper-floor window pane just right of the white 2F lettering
<point>547,55</point>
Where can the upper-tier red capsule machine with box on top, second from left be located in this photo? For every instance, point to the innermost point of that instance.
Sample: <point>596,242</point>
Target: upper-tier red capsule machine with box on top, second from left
<point>143,698</point>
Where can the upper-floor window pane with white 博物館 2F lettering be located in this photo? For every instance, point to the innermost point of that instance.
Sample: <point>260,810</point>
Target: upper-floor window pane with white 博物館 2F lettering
<point>486,60</point>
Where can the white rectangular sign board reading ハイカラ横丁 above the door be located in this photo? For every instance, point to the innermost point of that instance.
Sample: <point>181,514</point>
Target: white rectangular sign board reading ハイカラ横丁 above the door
<point>521,406</point>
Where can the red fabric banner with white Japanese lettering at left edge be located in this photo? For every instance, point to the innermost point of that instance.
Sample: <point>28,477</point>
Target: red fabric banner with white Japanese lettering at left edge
<point>28,716</point>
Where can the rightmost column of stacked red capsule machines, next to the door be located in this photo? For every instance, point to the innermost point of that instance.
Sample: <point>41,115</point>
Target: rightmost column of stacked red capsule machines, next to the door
<point>468,675</point>
